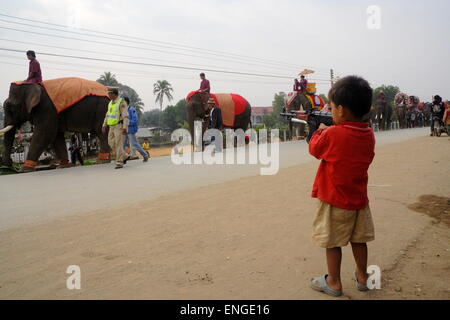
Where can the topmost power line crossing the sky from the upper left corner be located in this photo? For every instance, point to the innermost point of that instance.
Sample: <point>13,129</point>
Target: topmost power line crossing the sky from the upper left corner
<point>162,42</point>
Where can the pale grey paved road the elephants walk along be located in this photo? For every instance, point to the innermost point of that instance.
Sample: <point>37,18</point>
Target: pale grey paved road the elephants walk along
<point>42,196</point>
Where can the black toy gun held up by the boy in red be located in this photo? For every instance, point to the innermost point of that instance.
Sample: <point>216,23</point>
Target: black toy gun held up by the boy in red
<point>312,118</point>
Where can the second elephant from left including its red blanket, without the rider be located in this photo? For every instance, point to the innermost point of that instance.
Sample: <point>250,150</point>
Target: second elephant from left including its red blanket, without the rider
<point>236,111</point>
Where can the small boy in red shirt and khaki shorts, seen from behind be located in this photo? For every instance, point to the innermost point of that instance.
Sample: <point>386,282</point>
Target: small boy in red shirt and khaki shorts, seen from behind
<point>346,149</point>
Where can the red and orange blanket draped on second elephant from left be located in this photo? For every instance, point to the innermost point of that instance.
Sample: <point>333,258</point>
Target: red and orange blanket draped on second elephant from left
<point>230,104</point>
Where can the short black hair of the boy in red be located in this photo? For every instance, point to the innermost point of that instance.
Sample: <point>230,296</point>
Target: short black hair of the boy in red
<point>353,93</point>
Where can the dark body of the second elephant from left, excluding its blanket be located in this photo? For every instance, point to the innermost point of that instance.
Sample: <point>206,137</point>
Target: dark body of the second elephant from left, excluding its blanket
<point>196,110</point>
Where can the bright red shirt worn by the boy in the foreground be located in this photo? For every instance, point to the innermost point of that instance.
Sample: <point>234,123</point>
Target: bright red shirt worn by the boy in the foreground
<point>346,150</point>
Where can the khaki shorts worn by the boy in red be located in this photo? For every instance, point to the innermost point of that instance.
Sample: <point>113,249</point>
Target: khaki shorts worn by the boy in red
<point>335,228</point>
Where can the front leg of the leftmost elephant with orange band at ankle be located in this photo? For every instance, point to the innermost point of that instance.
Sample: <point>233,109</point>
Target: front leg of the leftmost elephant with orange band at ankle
<point>43,136</point>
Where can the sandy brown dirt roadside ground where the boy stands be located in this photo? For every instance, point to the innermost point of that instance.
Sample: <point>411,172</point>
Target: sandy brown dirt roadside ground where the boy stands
<point>245,239</point>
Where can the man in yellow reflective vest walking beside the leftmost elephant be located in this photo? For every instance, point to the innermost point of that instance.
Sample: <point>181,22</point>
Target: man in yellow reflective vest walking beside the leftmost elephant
<point>117,121</point>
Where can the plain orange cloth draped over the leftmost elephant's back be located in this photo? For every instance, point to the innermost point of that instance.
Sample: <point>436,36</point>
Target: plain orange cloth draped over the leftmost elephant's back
<point>66,92</point>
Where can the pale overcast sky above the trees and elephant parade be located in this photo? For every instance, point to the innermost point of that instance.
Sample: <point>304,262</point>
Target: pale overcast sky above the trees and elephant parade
<point>411,49</point>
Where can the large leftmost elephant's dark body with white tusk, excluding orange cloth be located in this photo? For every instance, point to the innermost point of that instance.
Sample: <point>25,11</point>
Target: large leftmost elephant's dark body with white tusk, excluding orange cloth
<point>30,102</point>
